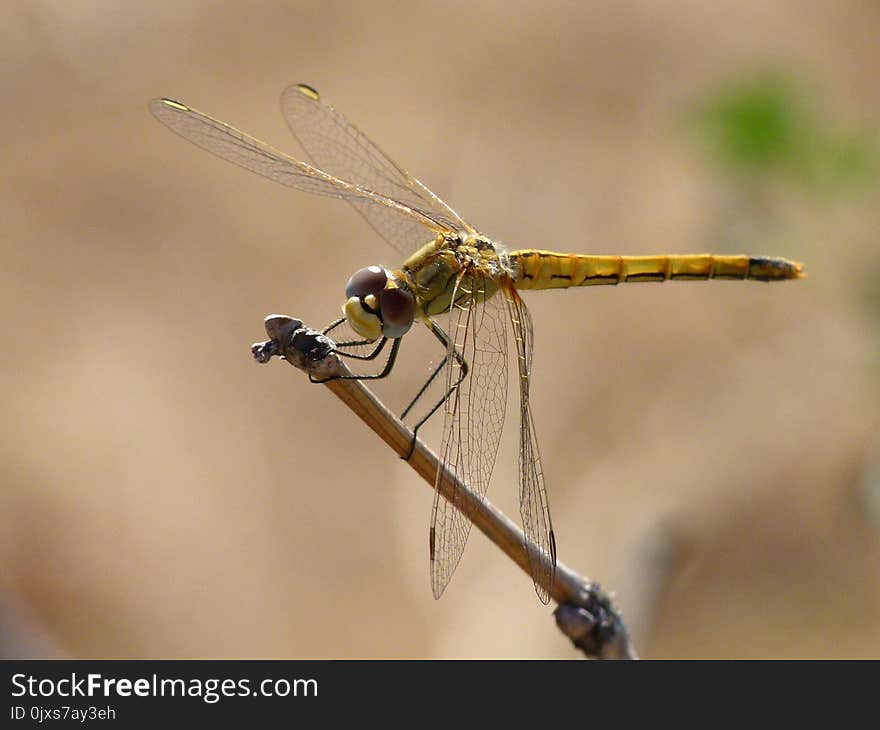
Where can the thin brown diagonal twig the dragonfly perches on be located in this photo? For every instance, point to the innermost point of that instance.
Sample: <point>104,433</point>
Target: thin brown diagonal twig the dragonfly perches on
<point>585,613</point>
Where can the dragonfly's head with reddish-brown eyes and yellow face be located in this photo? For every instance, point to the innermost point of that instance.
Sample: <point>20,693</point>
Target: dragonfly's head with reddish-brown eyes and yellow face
<point>378,304</point>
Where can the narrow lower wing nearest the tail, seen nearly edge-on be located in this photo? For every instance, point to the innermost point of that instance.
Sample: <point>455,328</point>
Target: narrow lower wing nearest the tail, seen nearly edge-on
<point>533,505</point>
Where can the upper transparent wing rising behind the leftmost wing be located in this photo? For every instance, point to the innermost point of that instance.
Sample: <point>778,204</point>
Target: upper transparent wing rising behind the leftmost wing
<point>336,146</point>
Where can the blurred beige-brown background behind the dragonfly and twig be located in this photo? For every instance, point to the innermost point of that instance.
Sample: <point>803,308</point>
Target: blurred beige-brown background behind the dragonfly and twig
<point>707,447</point>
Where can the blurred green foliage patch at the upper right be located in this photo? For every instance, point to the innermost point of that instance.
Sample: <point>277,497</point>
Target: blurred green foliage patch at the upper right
<point>767,126</point>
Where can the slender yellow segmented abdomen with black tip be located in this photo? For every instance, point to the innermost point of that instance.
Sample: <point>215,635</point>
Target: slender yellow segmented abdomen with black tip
<point>550,270</point>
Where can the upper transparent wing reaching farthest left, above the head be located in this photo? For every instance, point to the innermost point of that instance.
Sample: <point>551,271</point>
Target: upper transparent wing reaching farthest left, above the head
<point>235,146</point>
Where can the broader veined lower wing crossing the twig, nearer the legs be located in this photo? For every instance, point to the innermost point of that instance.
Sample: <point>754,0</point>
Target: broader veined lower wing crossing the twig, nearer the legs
<point>473,415</point>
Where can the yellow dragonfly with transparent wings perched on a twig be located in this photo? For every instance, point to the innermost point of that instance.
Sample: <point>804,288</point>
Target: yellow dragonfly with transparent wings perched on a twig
<point>462,285</point>
